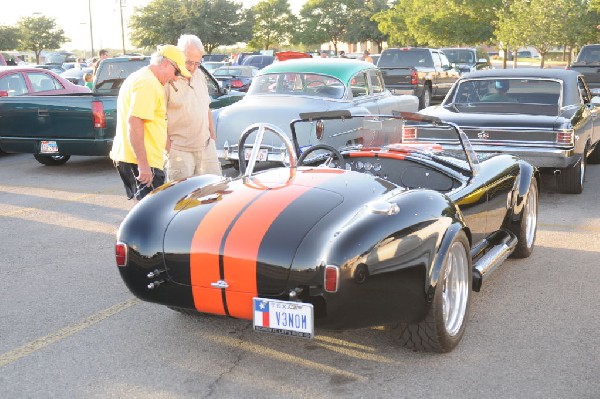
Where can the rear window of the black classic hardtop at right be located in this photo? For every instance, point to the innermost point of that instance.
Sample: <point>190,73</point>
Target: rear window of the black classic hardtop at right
<point>511,93</point>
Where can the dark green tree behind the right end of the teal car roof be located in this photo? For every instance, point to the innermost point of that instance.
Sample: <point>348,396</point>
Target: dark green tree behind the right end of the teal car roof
<point>365,28</point>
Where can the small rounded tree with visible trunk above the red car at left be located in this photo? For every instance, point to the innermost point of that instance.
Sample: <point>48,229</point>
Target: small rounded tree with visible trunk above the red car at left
<point>39,33</point>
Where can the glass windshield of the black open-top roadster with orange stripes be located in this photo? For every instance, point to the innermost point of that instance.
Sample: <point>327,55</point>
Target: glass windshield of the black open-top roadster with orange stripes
<point>407,133</point>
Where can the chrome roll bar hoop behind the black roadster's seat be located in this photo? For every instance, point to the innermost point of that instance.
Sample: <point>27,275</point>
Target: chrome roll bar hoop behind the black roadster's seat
<point>261,128</point>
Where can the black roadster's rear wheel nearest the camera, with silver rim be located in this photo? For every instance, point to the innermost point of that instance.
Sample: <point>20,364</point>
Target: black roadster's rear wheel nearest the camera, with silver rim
<point>445,322</point>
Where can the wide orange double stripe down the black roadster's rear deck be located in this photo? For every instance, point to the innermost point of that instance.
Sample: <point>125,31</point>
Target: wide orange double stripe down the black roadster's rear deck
<point>242,243</point>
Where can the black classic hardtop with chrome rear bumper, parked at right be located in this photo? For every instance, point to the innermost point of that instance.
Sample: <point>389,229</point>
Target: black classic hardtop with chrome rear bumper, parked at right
<point>545,116</point>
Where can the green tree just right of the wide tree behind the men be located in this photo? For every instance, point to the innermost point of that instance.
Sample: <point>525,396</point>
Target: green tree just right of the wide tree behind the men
<point>274,23</point>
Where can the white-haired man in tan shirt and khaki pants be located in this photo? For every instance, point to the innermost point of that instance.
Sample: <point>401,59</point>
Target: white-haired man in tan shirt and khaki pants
<point>191,148</point>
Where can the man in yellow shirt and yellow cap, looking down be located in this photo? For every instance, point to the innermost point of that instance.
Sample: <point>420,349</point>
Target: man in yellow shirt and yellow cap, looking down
<point>141,135</point>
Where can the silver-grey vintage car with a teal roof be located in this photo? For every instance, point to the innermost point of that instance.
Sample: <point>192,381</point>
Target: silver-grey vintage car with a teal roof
<point>284,89</point>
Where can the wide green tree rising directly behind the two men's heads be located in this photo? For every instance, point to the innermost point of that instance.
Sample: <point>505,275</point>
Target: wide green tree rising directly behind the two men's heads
<point>215,22</point>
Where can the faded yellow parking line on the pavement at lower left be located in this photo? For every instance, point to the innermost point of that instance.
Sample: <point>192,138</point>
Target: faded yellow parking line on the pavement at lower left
<point>41,343</point>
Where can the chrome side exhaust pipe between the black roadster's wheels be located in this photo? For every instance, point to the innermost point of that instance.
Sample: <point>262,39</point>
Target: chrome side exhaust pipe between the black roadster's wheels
<point>501,245</point>
